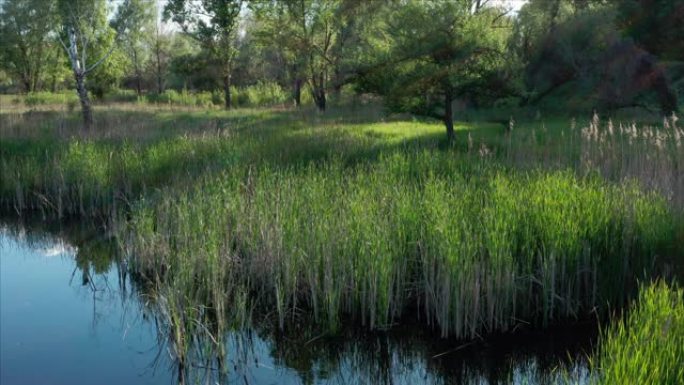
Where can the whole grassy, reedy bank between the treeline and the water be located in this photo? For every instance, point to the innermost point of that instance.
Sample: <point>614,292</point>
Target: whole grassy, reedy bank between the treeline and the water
<point>346,216</point>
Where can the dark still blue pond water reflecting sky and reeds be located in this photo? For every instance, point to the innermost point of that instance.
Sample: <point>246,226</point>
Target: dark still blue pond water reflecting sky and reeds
<point>71,314</point>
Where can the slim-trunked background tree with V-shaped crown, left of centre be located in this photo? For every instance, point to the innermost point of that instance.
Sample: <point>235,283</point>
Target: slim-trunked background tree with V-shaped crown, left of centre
<point>213,23</point>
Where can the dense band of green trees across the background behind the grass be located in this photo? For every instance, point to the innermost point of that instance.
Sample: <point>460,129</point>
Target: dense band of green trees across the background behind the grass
<point>424,57</point>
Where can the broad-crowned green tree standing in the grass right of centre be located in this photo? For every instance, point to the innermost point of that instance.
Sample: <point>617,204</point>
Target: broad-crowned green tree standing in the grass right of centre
<point>435,51</point>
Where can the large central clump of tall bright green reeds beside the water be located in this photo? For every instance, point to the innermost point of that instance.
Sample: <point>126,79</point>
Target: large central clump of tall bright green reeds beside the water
<point>467,247</point>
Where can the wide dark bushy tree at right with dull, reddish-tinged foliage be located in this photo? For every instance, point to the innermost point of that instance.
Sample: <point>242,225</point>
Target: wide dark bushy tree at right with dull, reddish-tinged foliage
<point>580,52</point>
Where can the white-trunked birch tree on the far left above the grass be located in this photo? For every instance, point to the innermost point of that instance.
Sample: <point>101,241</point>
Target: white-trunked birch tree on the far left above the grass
<point>88,41</point>
